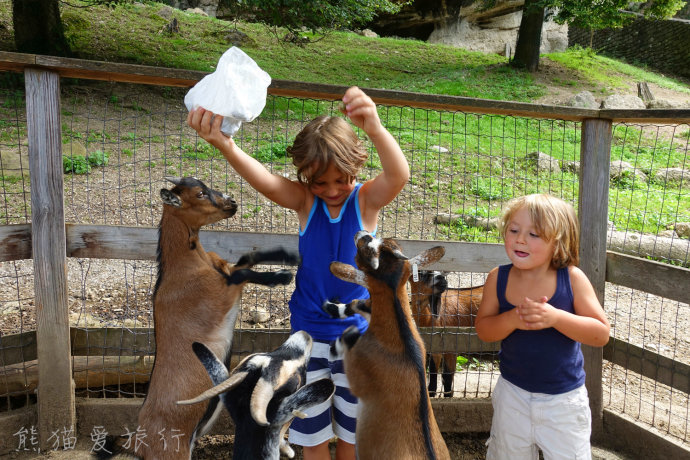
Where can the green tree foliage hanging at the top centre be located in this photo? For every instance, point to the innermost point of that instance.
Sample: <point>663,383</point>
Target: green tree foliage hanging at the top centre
<point>315,15</point>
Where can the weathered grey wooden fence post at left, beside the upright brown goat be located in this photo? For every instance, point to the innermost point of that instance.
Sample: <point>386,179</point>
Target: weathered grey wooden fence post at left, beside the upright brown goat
<point>56,402</point>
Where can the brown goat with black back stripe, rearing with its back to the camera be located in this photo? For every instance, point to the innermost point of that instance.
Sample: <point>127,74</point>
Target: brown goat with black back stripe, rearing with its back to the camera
<point>385,365</point>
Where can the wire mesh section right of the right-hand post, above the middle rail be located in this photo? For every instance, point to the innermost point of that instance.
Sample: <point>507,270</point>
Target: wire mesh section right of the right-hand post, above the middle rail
<point>650,191</point>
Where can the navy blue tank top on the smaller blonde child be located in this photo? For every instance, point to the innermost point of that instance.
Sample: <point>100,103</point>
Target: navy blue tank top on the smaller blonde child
<point>543,361</point>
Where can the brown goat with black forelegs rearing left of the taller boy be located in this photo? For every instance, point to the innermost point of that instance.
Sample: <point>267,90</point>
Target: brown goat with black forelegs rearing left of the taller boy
<point>193,301</point>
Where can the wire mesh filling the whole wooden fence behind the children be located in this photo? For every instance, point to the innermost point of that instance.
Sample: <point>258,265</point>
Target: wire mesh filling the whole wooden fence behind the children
<point>120,141</point>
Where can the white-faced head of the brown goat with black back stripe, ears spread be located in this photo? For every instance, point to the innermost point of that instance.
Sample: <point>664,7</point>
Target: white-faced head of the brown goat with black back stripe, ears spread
<point>383,260</point>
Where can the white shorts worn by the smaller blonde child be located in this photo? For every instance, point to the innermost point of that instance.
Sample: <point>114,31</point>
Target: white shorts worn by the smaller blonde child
<point>523,422</point>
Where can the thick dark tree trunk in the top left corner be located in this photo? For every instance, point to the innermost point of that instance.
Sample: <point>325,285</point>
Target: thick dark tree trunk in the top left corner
<point>38,27</point>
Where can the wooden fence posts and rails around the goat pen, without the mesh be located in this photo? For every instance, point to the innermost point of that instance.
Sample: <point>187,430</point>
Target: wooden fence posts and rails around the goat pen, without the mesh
<point>49,241</point>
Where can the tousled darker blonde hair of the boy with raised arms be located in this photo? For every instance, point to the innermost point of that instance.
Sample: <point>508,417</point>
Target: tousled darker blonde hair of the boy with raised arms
<point>322,141</point>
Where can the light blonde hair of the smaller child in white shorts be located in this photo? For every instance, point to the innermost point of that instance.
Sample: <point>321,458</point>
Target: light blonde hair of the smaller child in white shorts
<point>555,221</point>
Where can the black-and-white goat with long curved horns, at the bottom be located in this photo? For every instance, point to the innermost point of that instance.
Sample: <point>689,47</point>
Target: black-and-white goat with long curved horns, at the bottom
<point>263,394</point>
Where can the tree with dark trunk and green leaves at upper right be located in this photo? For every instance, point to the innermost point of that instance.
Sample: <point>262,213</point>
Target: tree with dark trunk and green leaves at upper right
<point>590,14</point>
